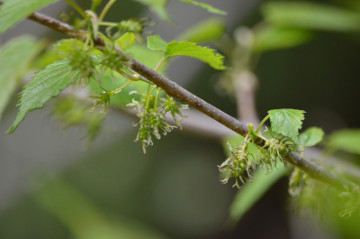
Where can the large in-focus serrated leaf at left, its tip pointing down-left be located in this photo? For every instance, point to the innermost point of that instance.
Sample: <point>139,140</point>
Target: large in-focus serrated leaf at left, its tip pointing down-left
<point>47,84</point>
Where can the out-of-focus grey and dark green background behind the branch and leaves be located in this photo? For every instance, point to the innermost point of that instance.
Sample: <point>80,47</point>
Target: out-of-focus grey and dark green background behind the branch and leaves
<point>54,185</point>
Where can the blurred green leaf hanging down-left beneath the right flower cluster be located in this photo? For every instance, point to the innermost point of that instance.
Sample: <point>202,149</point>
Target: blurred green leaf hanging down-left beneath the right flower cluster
<point>251,192</point>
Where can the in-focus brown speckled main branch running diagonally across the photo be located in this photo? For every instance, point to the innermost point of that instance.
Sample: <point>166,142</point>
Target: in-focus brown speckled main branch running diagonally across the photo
<point>180,93</point>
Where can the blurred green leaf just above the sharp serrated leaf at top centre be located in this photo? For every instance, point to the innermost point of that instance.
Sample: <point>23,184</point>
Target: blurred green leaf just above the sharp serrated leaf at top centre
<point>206,31</point>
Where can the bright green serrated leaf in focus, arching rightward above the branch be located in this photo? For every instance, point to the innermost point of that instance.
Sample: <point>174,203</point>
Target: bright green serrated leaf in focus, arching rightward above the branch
<point>190,49</point>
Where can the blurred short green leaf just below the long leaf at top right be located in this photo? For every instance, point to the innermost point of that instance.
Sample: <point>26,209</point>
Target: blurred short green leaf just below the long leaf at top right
<point>273,38</point>
